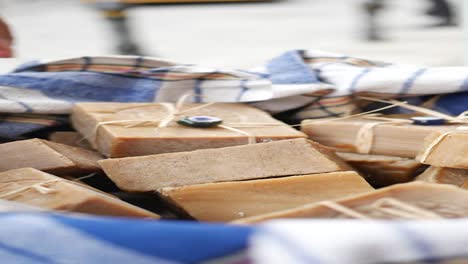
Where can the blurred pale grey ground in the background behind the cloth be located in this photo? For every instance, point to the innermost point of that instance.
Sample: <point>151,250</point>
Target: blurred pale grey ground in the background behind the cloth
<point>238,35</point>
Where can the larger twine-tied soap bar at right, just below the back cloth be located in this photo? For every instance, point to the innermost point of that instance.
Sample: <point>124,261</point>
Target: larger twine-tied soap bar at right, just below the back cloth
<point>404,140</point>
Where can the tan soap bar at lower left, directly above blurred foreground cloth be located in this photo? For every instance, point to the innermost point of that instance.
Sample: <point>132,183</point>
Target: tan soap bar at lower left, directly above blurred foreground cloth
<point>37,188</point>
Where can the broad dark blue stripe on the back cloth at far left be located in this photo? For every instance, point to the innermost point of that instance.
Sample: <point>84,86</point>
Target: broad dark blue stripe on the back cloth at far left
<point>85,86</point>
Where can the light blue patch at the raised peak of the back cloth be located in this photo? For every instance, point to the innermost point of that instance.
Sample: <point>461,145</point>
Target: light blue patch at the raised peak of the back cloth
<point>290,68</point>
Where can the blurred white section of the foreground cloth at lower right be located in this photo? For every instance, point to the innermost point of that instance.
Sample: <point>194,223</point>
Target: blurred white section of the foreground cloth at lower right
<point>351,241</point>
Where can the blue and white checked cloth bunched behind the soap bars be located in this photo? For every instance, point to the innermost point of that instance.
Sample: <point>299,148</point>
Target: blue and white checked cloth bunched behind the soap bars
<point>293,86</point>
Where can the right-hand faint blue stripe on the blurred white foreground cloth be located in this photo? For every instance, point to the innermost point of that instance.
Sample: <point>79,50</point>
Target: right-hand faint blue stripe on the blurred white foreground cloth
<point>417,242</point>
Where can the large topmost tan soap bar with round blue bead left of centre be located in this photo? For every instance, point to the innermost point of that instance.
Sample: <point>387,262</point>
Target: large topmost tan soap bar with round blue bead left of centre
<point>121,140</point>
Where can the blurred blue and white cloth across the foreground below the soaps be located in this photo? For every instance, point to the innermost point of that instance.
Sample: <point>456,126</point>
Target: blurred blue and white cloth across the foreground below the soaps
<point>56,238</point>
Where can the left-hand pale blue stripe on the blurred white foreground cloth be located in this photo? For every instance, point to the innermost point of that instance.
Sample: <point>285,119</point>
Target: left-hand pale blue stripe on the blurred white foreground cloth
<point>290,246</point>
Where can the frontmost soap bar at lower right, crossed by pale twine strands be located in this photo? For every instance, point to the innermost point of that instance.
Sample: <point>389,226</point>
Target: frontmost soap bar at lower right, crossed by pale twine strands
<point>415,200</point>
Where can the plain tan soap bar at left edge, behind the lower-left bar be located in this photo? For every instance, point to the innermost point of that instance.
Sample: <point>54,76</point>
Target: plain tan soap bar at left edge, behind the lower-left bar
<point>48,156</point>
